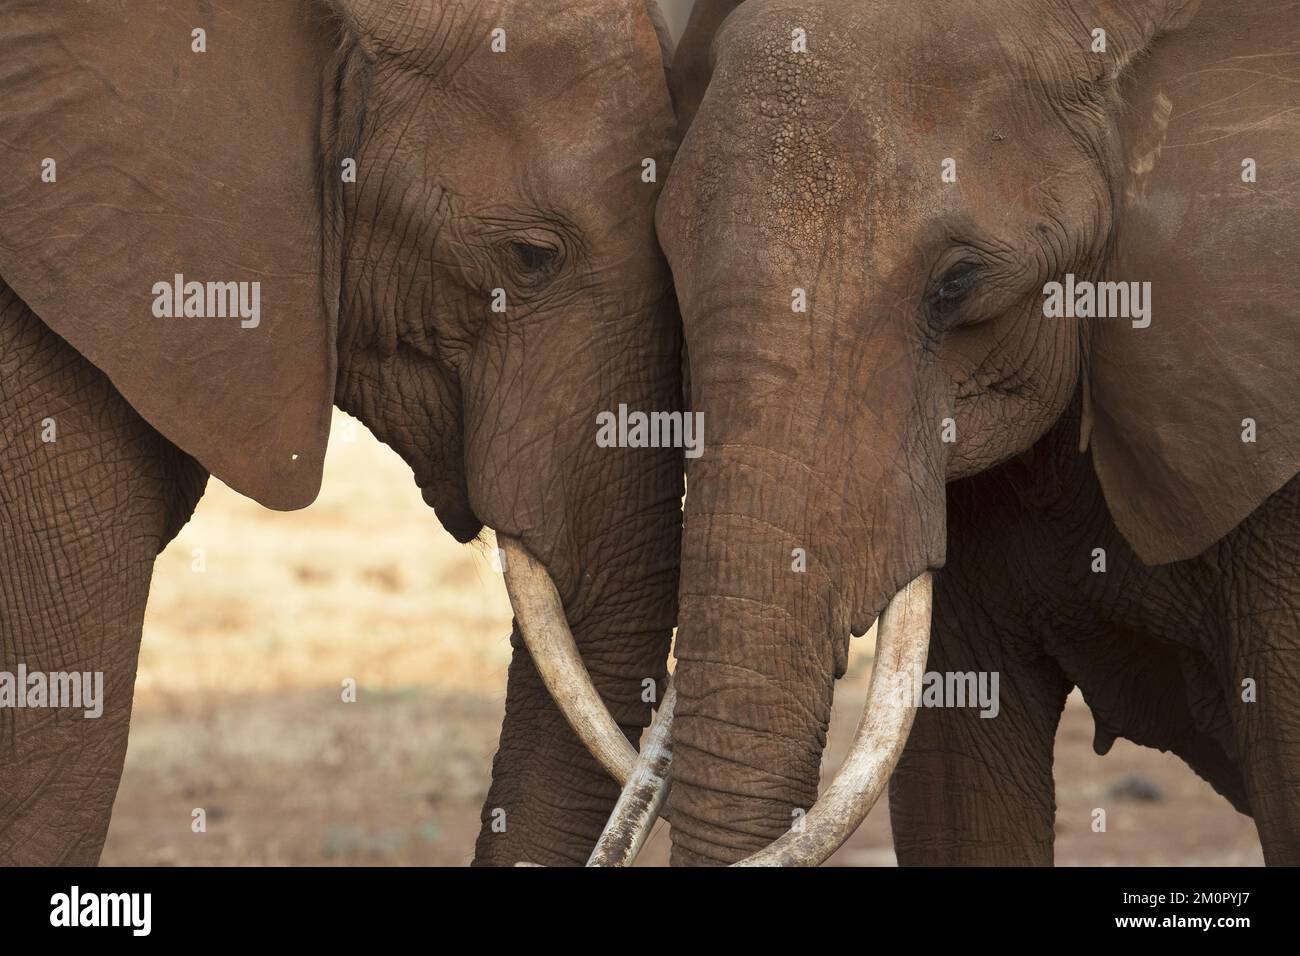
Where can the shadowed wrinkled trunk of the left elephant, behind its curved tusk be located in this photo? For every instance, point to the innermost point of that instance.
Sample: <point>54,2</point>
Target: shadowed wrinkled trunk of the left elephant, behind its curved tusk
<point>605,525</point>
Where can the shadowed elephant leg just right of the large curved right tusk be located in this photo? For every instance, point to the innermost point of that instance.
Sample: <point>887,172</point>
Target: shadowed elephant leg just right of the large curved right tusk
<point>974,790</point>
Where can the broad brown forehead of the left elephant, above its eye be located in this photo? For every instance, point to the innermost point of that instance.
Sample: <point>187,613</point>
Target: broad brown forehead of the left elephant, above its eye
<point>569,103</point>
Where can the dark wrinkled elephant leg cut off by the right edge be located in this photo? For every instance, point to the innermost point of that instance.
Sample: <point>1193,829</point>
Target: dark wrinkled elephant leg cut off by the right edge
<point>1262,667</point>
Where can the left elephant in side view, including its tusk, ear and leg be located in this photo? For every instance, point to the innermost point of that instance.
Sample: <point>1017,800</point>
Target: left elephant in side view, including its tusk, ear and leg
<point>218,219</point>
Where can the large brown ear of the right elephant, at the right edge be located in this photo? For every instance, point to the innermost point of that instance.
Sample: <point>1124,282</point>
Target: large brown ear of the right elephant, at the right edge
<point>1211,136</point>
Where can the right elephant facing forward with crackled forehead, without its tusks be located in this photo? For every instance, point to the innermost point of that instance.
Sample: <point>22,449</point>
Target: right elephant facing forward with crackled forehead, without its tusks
<point>822,171</point>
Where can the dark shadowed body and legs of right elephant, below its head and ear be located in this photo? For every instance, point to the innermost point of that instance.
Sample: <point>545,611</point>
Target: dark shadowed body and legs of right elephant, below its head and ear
<point>1159,655</point>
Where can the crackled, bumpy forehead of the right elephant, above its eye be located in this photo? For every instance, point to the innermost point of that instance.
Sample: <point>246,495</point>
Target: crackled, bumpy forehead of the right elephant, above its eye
<point>873,114</point>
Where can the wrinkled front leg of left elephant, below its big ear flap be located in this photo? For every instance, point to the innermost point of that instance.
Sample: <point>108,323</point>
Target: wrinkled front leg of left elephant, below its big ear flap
<point>89,496</point>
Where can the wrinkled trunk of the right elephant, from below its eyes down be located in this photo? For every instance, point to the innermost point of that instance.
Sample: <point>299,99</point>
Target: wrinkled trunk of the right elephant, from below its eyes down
<point>818,499</point>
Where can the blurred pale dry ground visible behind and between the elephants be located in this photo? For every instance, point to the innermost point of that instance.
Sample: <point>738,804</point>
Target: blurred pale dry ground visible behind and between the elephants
<point>257,618</point>
